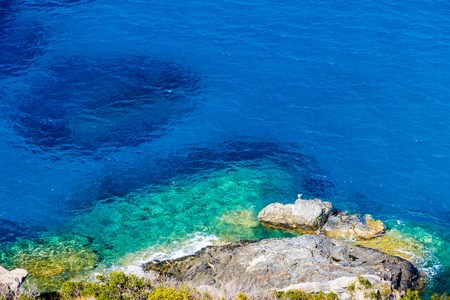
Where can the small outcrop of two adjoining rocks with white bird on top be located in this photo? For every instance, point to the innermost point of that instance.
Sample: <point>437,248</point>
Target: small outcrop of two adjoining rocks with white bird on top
<point>308,216</point>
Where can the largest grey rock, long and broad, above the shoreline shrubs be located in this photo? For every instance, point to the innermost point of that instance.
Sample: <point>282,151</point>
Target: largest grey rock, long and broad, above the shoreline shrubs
<point>277,264</point>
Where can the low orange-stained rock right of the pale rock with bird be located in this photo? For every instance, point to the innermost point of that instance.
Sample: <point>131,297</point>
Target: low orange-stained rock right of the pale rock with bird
<point>353,226</point>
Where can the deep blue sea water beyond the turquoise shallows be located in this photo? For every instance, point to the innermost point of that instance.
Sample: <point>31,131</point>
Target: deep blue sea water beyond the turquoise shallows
<point>99,99</point>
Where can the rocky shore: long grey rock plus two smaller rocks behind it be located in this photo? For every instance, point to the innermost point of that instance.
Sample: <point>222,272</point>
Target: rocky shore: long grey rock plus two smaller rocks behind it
<point>311,262</point>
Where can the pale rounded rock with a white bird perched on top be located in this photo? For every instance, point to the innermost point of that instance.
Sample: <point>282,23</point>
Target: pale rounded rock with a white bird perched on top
<point>306,215</point>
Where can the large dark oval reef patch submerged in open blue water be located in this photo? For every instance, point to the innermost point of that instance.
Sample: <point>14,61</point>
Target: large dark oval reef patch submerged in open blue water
<point>88,104</point>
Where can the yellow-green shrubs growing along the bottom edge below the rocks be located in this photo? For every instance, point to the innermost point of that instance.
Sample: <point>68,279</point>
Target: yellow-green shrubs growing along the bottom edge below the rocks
<point>119,286</point>
